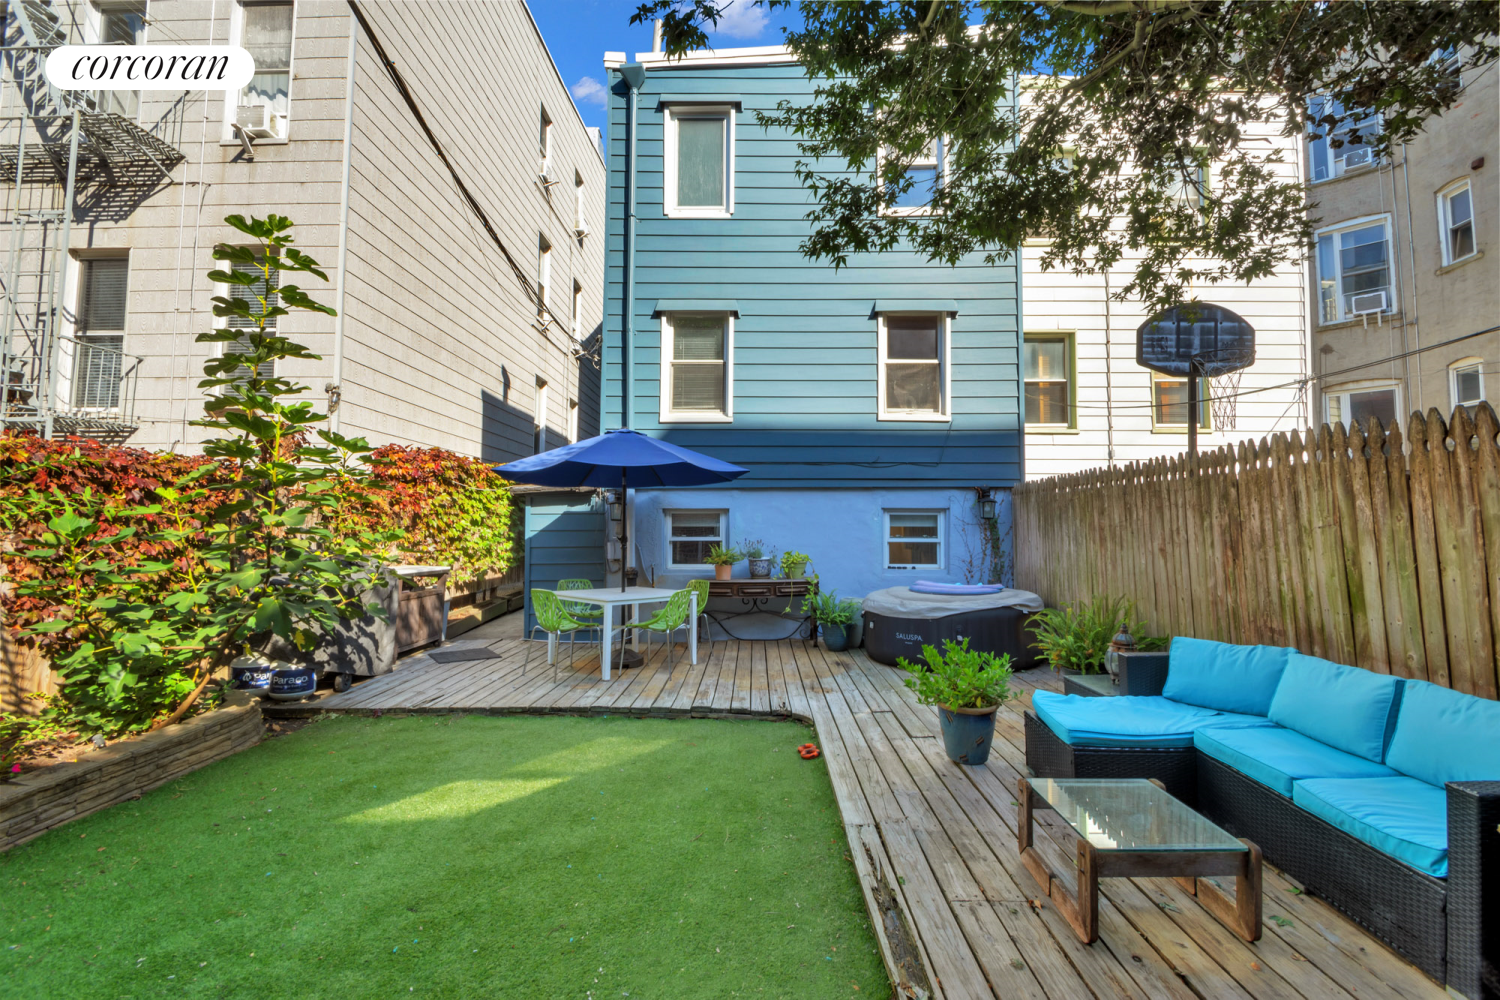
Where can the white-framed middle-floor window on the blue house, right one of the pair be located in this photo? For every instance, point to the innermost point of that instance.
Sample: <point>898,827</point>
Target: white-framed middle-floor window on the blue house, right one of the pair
<point>913,370</point>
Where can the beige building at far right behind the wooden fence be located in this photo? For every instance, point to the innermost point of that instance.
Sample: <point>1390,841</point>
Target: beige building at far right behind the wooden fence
<point>1406,268</point>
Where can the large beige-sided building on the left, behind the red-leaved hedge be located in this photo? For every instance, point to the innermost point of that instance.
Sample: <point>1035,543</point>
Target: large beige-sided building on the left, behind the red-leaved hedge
<point>434,166</point>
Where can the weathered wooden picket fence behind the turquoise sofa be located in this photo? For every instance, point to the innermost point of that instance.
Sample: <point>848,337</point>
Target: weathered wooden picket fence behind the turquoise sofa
<point>1366,546</point>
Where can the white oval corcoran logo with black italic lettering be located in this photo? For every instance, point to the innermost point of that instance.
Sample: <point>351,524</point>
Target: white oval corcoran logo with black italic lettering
<point>149,68</point>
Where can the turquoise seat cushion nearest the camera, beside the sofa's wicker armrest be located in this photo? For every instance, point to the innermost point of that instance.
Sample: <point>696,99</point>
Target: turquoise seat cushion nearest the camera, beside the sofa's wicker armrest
<point>1403,818</point>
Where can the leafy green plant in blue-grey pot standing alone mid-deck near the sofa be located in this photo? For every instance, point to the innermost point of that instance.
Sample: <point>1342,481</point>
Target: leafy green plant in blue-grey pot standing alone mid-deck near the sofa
<point>968,687</point>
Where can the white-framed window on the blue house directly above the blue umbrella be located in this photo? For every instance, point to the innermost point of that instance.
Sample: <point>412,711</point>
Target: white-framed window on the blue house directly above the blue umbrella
<point>698,370</point>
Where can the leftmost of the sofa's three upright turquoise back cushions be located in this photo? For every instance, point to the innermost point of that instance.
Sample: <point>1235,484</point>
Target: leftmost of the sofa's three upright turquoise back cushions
<point>1222,677</point>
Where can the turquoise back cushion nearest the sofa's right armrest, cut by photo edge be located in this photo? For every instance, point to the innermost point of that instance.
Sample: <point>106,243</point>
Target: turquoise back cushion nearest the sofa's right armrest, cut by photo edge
<point>1444,735</point>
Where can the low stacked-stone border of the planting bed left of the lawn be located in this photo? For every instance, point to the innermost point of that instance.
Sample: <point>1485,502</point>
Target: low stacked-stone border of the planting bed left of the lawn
<point>43,800</point>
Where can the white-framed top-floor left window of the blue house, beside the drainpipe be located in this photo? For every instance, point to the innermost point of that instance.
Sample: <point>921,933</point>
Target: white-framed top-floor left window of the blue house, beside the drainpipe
<point>700,163</point>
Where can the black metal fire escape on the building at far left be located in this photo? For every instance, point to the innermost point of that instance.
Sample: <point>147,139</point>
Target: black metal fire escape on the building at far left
<point>68,163</point>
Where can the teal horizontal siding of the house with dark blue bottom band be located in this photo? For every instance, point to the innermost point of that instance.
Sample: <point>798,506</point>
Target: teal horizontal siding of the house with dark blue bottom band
<point>806,337</point>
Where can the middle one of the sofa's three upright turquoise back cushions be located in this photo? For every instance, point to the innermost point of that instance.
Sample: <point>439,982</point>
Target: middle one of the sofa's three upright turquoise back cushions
<point>1342,707</point>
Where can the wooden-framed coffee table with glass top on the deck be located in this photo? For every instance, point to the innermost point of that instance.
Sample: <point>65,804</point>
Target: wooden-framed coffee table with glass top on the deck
<point>1132,828</point>
